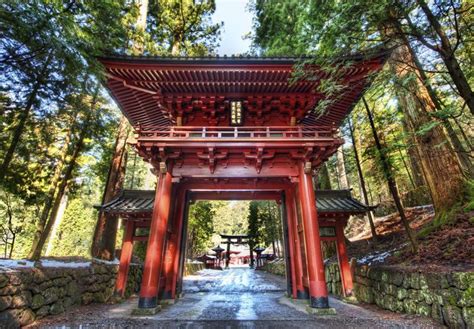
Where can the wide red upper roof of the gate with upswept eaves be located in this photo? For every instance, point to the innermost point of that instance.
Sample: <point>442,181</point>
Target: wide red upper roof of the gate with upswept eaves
<point>150,90</point>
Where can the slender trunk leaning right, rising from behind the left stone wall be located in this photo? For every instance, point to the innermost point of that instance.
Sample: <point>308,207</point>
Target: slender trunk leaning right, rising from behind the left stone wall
<point>36,252</point>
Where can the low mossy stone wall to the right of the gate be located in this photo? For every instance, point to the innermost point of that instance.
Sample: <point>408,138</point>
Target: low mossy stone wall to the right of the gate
<point>446,297</point>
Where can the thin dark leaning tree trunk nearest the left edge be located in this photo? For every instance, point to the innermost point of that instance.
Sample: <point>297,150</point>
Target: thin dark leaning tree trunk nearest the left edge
<point>23,117</point>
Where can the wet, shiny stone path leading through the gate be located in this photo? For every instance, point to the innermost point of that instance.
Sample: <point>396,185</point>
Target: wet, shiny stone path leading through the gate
<point>235,298</point>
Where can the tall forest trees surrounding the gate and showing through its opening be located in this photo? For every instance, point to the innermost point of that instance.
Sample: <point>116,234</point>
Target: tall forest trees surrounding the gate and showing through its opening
<point>63,142</point>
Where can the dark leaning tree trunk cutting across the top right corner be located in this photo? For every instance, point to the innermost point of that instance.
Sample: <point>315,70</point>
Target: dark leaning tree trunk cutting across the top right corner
<point>449,58</point>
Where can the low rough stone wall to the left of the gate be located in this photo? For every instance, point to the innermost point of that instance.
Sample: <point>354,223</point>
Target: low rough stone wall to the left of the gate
<point>32,293</point>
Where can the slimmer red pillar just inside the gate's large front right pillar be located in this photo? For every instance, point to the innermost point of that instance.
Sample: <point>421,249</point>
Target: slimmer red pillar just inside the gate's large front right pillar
<point>295,245</point>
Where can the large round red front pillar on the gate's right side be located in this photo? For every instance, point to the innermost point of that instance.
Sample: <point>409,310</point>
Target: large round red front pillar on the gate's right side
<point>317,282</point>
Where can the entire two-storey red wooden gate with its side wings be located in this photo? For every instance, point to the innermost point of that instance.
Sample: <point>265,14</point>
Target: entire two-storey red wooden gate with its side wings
<point>233,129</point>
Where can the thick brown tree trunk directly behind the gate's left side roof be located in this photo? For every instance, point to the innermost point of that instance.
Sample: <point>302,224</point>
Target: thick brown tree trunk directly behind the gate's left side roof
<point>105,233</point>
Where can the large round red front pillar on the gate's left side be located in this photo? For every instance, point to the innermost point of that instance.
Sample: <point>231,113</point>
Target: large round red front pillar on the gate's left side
<point>156,243</point>
